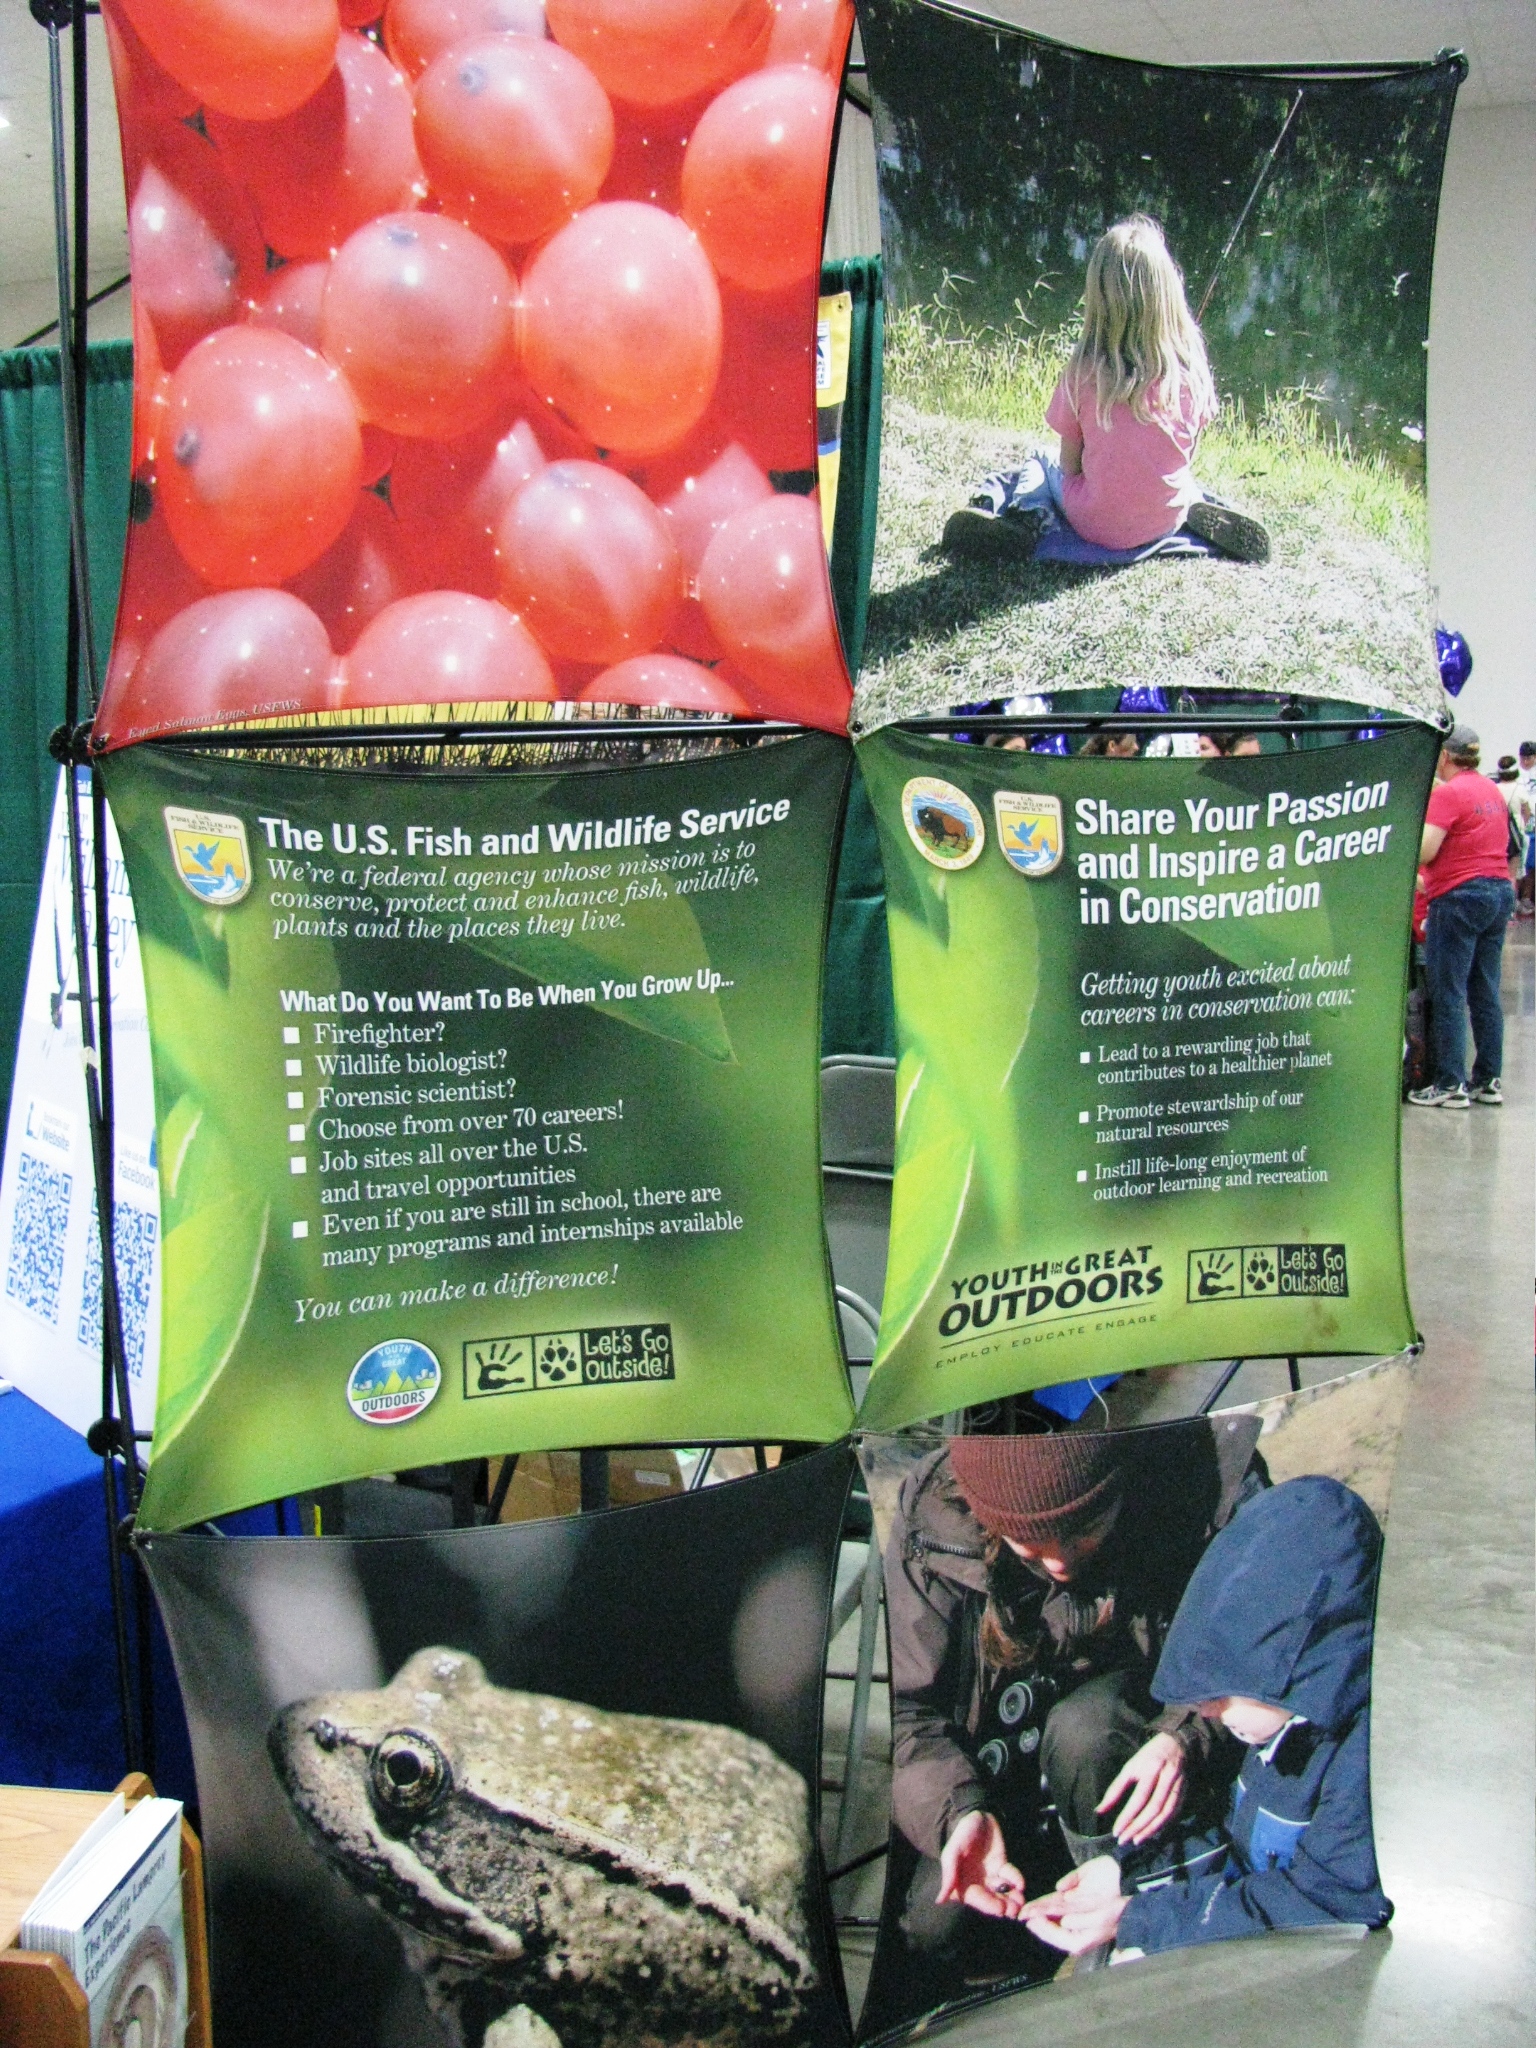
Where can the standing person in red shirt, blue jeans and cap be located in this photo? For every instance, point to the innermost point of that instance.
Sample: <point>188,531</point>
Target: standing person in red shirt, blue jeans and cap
<point>1465,873</point>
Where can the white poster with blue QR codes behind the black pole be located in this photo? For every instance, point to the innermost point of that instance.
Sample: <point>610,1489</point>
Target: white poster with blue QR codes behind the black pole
<point>50,1244</point>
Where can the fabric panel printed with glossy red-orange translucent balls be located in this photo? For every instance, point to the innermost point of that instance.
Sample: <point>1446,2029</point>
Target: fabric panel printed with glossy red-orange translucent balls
<point>474,357</point>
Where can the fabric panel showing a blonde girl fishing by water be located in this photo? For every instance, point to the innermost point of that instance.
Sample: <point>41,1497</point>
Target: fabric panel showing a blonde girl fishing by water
<point>1160,323</point>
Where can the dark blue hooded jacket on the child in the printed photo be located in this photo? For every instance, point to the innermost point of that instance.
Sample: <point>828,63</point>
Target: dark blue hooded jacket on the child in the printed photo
<point>1281,1611</point>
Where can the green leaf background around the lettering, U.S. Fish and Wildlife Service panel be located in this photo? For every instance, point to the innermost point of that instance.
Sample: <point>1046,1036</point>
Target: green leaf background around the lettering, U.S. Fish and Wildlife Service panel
<point>722,1086</point>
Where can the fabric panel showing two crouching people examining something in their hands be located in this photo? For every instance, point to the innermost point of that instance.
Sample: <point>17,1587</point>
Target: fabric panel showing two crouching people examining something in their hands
<point>1129,1691</point>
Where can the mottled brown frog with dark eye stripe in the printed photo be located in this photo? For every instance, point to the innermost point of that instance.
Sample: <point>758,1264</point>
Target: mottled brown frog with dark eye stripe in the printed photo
<point>560,1875</point>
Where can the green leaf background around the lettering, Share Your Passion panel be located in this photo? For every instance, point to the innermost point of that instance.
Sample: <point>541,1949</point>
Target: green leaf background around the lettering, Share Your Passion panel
<point>988,968</point>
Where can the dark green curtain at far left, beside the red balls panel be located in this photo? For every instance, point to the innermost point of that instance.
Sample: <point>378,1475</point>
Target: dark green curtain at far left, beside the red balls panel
<point>34,611</point>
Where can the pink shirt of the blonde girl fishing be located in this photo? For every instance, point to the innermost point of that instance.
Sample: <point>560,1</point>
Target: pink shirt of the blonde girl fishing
<point>1136,484</point>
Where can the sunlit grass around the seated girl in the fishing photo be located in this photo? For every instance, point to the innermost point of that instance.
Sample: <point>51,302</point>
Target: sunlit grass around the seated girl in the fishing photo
<point>1342,609</point>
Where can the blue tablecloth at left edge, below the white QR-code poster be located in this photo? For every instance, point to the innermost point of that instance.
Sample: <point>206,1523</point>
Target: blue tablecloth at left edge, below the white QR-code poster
<point>58,1664</point>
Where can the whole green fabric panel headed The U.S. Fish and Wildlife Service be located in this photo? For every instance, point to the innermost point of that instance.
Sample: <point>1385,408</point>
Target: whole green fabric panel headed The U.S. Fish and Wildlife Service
<point>486,1111</point>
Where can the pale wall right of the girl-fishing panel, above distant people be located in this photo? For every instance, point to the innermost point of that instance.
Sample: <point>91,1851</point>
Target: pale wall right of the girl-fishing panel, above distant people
<point>1482,427</point>
